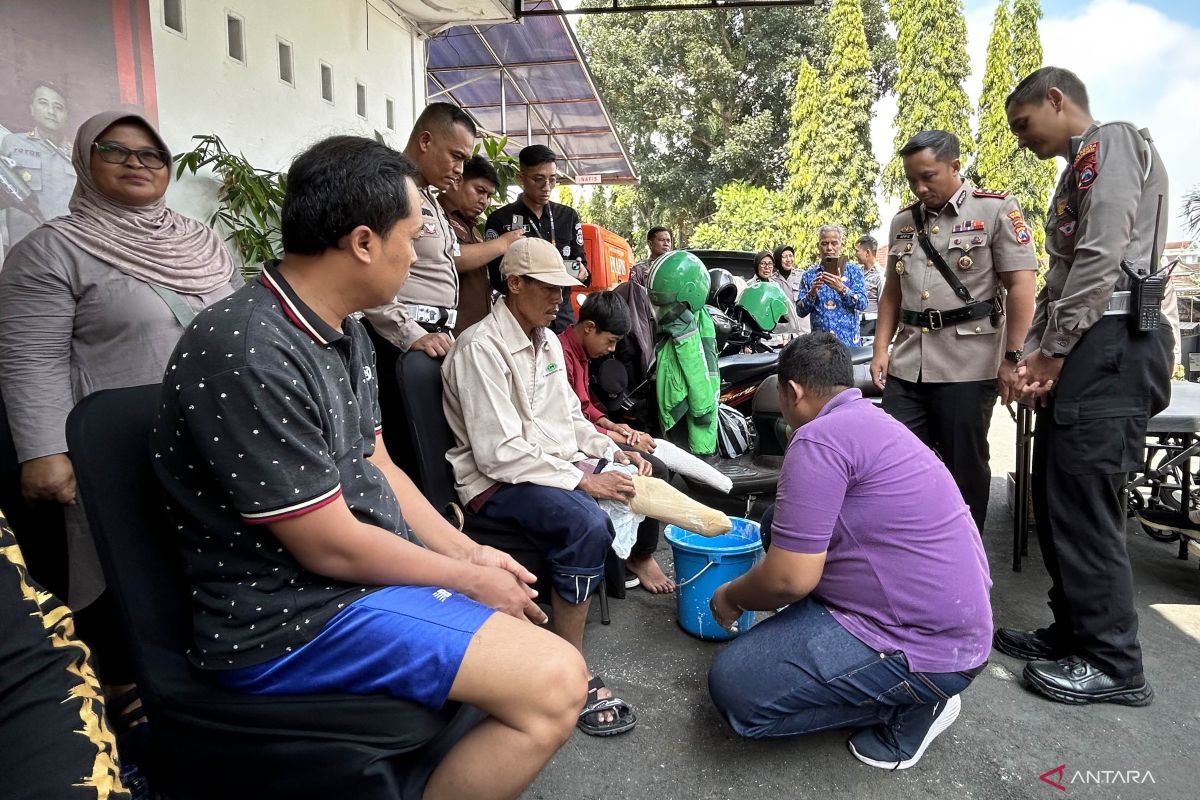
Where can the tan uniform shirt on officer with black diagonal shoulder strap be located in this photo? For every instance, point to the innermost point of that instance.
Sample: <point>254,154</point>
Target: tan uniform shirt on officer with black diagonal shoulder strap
<point>981,234</point>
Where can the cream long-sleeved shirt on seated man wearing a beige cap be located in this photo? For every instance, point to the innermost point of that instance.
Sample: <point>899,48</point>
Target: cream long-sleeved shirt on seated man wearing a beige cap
<point>514,414</point>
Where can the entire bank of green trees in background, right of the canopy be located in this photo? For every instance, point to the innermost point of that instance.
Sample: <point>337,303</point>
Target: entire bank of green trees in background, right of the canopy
<point>752,128</point>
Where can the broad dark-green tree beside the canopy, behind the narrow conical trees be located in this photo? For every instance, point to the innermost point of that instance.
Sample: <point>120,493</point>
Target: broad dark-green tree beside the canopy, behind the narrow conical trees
<point>700,99</point>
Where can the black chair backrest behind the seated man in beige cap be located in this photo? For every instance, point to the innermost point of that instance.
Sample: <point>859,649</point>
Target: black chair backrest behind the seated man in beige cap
<point>421,395</point>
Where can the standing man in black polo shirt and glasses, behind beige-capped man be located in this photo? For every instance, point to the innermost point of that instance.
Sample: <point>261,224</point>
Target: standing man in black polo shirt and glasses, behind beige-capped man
<point>555,222</point>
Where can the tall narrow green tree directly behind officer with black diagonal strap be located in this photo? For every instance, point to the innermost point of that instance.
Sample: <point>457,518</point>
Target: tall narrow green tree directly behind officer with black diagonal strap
<point>932,68</point>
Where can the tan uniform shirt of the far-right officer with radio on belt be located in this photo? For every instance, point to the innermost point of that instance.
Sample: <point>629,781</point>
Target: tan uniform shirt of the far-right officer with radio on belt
<point>1102,212</point>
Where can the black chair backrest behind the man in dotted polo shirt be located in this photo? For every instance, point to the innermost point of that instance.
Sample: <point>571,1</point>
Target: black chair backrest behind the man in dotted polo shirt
<point>109,435</point>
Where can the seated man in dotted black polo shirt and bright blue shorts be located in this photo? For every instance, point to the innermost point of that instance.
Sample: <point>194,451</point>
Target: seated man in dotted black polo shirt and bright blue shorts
<point>293,516</point>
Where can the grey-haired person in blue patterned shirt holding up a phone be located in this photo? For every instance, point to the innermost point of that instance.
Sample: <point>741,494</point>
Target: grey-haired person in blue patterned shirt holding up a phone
<point>833,293</point>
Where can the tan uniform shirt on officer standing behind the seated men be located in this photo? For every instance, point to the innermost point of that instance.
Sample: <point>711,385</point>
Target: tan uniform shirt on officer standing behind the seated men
<point>434,280</point>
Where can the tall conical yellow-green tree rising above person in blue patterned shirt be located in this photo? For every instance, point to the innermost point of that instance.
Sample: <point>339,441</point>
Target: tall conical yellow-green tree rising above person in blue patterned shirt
<point>842,187</point>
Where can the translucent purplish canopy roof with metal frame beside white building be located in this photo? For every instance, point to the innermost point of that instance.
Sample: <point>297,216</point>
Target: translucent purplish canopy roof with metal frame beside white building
<point>494,70</point>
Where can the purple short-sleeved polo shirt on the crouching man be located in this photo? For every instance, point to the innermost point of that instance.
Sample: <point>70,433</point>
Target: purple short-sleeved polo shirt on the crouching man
<point>905,569</point>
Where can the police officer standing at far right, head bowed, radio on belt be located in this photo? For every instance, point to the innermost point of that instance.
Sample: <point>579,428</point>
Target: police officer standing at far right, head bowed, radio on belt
<point>1097,381</point>
